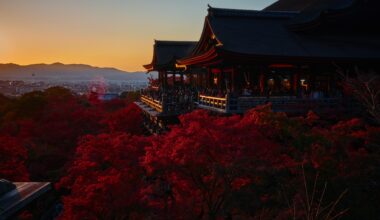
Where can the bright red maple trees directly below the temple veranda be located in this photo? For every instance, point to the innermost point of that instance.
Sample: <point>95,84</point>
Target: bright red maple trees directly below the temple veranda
<point>212,167</point>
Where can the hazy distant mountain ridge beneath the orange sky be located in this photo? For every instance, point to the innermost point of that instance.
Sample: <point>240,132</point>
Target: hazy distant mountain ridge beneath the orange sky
<point>66,72</point>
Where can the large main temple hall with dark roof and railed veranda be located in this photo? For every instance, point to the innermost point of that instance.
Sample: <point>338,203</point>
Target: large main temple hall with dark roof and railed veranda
<point>286,54</point>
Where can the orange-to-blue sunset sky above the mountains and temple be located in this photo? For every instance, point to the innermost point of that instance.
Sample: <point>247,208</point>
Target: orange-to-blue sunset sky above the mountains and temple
<point>112,33</point>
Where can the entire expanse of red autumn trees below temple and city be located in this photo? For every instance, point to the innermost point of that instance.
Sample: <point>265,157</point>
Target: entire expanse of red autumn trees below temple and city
<point>260,165</point>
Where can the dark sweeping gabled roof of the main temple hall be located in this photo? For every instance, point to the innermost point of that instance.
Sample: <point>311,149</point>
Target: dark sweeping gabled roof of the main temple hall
<point>267,34</point>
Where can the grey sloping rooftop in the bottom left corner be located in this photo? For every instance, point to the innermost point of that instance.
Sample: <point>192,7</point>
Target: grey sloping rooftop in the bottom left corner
<point>19,196</point>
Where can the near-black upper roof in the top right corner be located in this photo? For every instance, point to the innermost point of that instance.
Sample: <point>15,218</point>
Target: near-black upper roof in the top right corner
<point>349,16</point>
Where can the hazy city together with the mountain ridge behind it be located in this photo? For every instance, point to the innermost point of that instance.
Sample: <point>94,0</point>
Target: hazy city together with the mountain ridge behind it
<point>16,80</point>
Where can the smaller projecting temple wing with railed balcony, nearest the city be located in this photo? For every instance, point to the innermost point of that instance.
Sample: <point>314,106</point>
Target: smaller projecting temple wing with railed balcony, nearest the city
<point>171,94</point>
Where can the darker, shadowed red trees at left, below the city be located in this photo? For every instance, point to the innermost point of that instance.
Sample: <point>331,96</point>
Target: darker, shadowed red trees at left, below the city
<point>48,125</point>
